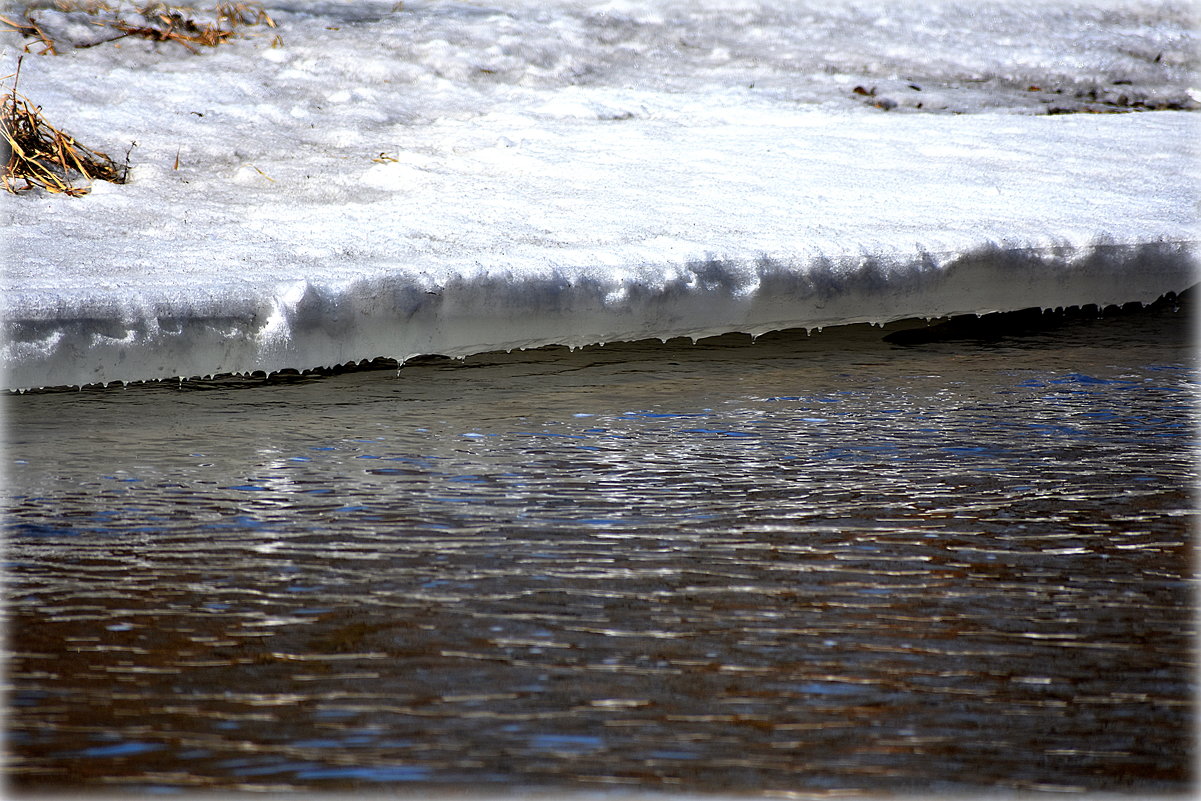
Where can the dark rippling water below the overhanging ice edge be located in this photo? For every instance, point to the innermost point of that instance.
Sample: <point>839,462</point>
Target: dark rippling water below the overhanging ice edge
<point>808,564</point>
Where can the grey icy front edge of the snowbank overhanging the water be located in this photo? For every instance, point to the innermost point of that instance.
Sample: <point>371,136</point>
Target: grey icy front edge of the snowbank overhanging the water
<point>61,340</point>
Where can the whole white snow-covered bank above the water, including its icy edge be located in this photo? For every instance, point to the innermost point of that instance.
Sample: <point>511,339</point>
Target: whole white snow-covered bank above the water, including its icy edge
<point>366,181</point>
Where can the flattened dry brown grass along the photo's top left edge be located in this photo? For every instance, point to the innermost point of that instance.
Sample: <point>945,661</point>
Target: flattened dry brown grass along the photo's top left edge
<point>158,22</point>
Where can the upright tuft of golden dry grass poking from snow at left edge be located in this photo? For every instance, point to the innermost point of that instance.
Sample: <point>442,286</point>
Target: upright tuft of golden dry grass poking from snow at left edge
<point>40,156</point>
